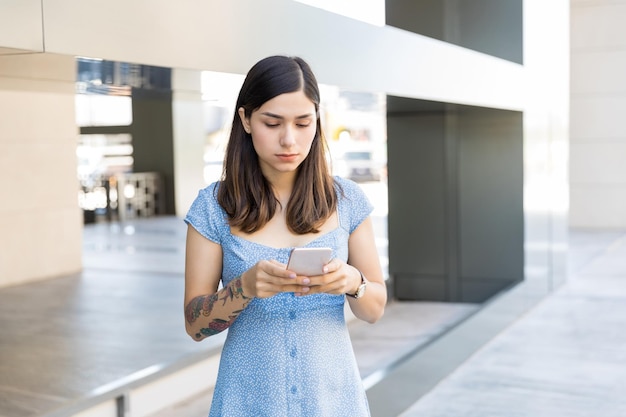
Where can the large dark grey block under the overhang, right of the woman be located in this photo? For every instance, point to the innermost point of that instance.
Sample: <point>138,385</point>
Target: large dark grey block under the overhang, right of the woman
<point>456,217</point>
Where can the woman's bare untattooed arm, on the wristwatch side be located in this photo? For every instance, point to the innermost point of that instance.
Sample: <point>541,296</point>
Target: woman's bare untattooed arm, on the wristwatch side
<point>363,256</point>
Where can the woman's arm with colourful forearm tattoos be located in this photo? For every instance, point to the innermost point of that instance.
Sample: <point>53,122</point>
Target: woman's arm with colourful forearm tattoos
<point>207,310</point>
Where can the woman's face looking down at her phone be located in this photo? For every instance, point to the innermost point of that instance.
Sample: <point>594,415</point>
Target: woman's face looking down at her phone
<point>282,130</point>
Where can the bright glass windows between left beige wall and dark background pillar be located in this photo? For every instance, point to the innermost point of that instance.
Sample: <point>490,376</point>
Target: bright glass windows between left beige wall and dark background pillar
<point>105,106</point>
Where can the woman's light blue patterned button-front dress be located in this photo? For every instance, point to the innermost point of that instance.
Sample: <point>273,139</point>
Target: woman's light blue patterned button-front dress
<point>285,356</point>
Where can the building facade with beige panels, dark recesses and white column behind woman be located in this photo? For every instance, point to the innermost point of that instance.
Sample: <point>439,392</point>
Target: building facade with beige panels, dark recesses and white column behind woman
<point>477,123</point>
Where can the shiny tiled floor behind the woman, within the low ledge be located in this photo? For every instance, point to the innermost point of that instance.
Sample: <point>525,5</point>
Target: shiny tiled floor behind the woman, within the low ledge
<point>67,340</point>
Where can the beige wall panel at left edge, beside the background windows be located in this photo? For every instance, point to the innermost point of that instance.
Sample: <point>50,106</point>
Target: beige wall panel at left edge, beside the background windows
<point>40,222</point>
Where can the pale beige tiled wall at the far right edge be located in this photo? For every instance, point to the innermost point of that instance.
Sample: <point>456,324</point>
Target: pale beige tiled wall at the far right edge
<point>598,103</point>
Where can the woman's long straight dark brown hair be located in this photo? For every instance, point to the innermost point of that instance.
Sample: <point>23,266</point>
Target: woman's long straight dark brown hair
<point>244,193</point>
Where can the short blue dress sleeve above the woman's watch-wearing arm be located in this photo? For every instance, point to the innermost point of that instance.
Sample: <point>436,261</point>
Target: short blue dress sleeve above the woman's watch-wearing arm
<point>354,206</point>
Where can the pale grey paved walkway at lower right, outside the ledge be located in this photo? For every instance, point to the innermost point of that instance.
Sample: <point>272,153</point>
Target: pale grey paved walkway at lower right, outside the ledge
<point>565,358</point>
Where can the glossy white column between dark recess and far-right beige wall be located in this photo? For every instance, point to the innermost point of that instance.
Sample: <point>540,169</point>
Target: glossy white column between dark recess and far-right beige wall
<point>546,123</point>
